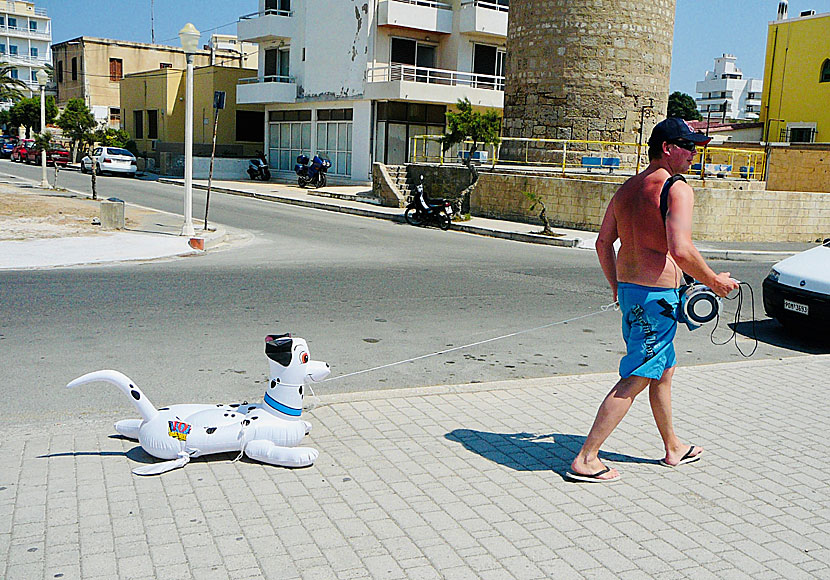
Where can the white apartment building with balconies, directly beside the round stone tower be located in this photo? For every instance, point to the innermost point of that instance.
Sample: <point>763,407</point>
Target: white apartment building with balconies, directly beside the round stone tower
<point>355,80</point>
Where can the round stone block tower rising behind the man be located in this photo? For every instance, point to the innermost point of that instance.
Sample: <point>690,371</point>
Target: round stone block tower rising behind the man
<point>583,69</point>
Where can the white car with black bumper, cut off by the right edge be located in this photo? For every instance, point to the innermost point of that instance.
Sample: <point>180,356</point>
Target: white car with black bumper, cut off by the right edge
<point>797,290</point>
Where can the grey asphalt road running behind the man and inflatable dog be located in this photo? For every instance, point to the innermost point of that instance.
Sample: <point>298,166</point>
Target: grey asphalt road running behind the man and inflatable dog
<point>362,292</point>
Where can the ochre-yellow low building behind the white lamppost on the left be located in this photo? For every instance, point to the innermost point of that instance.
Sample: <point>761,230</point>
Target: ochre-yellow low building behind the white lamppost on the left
<point>154,110</point>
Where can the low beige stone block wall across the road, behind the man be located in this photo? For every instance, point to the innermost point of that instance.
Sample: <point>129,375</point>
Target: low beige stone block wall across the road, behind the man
<point>733,212</point>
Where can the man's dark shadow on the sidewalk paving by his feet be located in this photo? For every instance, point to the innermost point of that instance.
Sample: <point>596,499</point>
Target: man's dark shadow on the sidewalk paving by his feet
<point>530,451</point>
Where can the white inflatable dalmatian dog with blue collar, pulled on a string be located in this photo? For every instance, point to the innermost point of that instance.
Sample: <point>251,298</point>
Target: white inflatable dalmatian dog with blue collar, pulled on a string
<point>268,432</point>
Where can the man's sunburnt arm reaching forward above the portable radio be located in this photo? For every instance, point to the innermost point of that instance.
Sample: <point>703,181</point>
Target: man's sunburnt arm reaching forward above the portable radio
<point>681,246</point>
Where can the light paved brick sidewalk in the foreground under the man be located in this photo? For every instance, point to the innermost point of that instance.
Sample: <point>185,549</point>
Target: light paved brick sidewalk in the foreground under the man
<point>446,482</point>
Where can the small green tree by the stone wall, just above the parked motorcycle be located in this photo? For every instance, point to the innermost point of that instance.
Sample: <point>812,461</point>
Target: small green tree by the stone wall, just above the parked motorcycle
<point>468,125</point>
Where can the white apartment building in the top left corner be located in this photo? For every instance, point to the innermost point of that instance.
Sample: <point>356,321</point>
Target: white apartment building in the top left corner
<point>25,41</point>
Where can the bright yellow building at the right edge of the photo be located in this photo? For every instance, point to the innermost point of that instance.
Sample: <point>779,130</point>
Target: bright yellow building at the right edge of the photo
<point>796,95</point>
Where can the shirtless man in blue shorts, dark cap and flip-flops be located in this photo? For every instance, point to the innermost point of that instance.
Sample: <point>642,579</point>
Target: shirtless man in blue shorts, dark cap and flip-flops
<point>644,277</point>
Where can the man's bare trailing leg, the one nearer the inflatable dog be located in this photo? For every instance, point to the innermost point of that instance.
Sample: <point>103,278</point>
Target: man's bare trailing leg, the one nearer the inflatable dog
<point>611,412</point>
